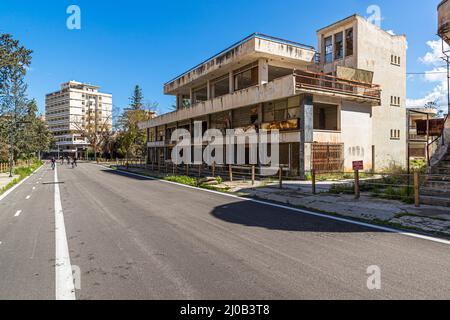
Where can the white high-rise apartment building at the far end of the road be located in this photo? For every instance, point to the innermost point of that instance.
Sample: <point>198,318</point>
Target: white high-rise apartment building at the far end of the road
<point>73,112</point>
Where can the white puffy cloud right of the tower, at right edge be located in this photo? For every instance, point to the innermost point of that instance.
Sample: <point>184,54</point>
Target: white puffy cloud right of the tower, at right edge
<point>437,75</point>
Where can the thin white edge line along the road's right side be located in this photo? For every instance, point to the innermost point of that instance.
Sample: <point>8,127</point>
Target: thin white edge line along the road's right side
<point>302,211</point>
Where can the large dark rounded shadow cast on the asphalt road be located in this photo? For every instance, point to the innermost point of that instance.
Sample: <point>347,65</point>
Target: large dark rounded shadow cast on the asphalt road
<point>252,214</point>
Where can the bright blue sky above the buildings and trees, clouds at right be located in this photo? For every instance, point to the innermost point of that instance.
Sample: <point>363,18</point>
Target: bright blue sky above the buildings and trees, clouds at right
<point>124,43</point>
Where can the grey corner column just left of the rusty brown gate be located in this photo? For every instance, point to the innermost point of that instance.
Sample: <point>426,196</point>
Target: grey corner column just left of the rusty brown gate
<point>306,134</point>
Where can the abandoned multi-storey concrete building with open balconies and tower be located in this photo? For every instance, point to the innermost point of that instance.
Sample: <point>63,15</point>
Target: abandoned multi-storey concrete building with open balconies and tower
<point>340,103</point>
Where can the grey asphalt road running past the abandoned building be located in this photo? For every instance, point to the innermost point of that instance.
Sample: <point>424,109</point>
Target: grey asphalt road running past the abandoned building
<point>135,238</point>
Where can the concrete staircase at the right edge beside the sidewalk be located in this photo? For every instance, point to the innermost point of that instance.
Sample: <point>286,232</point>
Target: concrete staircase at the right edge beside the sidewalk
<point>436,190</point>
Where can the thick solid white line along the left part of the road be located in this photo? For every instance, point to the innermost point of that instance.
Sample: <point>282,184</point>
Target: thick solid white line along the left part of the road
<point>64,285</point>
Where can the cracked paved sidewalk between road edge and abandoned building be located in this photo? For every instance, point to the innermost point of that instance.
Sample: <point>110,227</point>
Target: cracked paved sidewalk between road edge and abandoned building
<point>427,218</point>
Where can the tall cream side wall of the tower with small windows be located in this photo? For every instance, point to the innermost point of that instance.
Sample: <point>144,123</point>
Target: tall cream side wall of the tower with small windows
<point>375,48</point>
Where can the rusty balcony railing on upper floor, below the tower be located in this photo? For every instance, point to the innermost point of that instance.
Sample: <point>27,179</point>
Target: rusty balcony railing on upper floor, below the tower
<point>324,82</point>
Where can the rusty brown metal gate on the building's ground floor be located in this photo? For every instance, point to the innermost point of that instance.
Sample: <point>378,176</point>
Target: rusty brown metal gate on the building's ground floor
<point>328,157</point>
